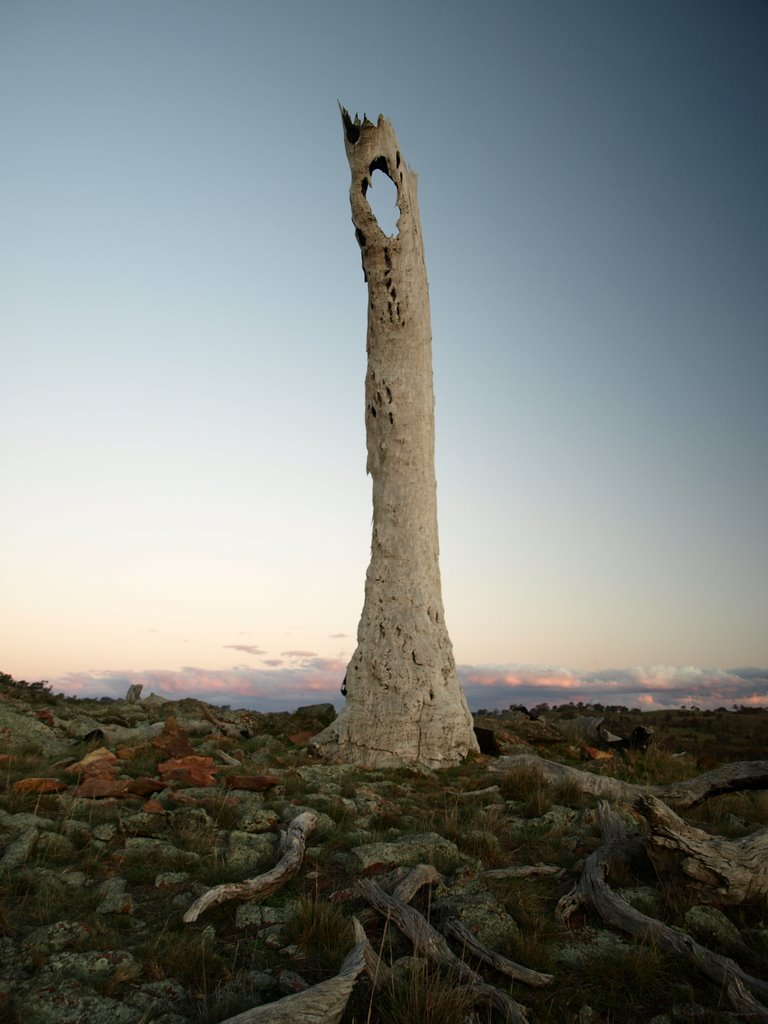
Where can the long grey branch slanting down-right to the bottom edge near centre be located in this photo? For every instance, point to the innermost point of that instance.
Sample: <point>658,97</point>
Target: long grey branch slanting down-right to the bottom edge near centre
<point>432,945</point>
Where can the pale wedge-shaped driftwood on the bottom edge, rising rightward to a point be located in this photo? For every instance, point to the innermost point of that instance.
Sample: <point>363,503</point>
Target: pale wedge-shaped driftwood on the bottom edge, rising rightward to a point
<point>323,1004</point>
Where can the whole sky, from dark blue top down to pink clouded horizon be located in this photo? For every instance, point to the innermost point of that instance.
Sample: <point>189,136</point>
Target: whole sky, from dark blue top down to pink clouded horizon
<point>183,325</point>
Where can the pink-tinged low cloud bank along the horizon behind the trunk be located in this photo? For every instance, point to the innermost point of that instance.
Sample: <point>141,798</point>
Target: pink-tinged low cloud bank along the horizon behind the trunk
<point>310,679</point>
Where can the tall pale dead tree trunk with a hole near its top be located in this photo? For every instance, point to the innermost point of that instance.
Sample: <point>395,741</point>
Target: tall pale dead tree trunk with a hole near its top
<point>405,704</point>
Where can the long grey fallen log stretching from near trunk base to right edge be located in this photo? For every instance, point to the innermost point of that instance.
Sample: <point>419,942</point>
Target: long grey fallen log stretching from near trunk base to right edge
<point>728,779</point>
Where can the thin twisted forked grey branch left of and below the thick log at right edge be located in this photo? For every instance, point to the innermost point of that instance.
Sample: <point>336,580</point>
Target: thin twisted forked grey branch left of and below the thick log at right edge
<point>593,890</point>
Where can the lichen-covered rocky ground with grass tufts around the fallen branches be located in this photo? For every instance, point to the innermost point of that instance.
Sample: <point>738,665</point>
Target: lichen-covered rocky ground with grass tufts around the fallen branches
<point>116,817</point>
